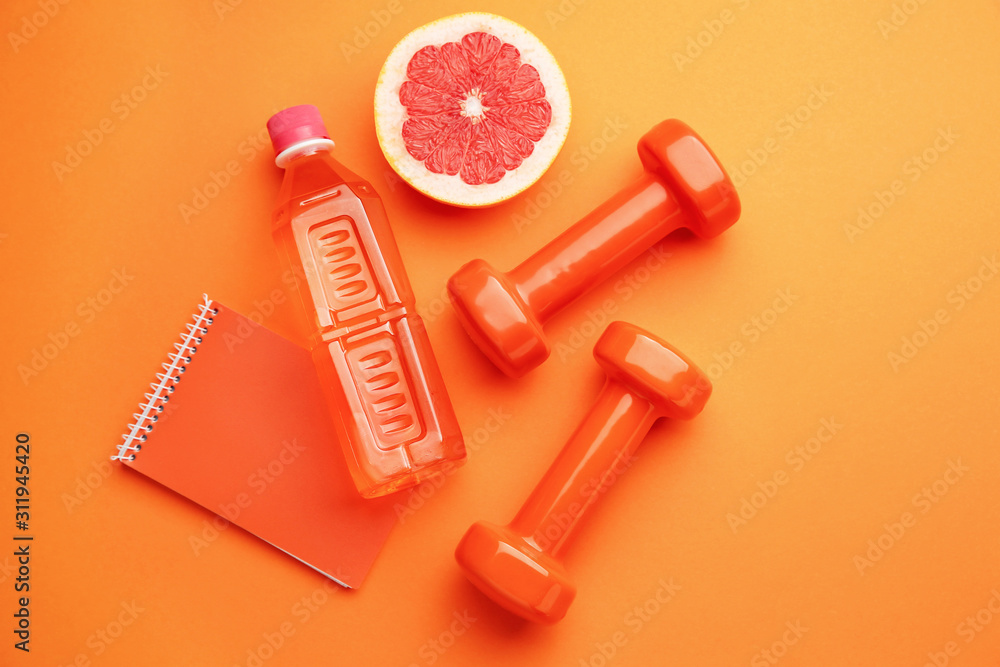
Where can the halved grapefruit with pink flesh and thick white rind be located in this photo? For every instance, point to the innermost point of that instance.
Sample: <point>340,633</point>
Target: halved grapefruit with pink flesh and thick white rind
<point>471,109</point>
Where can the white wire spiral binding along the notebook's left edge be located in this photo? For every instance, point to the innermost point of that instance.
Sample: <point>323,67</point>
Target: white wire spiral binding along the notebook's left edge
<point>166,382</point>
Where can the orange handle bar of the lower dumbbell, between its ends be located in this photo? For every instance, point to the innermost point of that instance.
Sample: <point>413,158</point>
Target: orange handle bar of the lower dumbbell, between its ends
<point>607,437</point>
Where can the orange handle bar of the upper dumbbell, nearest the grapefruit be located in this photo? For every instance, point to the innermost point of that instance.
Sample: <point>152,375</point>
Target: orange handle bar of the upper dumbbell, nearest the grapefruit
<point>597,246</point>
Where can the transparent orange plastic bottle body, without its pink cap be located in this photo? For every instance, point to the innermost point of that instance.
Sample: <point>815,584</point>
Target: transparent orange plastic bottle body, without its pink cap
<point>382,383</point>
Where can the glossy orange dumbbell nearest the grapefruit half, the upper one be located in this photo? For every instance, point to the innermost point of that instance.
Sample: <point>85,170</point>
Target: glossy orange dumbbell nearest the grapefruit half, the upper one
<point>683,185</point>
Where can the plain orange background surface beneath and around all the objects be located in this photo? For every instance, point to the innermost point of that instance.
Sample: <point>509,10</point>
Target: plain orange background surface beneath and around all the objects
<point>889,92</point>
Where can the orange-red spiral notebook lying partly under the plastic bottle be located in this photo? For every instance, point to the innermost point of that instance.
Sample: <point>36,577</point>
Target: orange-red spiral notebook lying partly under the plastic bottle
<point>236,423</point>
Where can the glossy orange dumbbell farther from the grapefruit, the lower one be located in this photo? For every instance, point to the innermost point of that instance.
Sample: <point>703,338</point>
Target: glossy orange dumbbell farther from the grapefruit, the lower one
<point>516,565</point>
